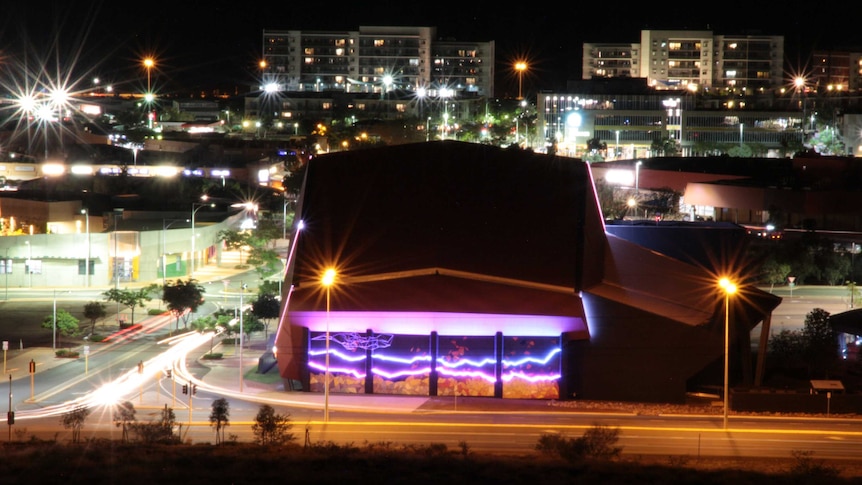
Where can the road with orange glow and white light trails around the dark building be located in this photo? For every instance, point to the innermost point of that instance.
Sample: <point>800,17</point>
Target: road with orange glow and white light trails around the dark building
<point>378,419</point>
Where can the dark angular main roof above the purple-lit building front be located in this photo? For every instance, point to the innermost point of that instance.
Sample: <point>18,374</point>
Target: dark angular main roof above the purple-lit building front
<point>463,207</point>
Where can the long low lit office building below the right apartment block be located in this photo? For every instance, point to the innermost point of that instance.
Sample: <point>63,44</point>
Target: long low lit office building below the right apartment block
<point>630,124</point>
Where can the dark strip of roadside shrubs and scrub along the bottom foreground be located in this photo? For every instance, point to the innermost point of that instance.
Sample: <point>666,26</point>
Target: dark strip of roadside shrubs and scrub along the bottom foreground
<point>153,451</point>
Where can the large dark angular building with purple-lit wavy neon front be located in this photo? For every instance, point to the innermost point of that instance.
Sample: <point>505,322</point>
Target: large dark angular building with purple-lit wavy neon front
<point>472,270</point>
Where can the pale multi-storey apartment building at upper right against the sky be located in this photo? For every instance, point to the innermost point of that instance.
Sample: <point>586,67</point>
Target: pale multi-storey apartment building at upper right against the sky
<point>683,59</point>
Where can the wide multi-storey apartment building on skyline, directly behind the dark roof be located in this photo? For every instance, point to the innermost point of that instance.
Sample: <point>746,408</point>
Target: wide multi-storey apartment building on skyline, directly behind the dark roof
<point>376,60</point>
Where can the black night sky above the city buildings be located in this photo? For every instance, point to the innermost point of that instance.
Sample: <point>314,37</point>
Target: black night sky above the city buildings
<point>203,44</point>
